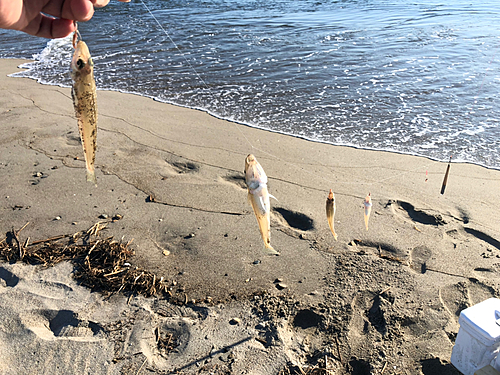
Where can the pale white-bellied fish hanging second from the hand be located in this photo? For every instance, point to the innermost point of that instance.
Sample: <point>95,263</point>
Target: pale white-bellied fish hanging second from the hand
<point>256,181</point>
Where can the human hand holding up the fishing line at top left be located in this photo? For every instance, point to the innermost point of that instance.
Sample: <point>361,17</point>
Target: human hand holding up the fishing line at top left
<point>47,18</point>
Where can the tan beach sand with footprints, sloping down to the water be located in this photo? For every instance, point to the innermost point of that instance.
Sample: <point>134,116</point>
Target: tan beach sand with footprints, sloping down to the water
<point>385,300</point>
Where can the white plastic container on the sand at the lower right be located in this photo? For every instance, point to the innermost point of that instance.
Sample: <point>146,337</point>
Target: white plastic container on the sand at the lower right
<point>478,339</point>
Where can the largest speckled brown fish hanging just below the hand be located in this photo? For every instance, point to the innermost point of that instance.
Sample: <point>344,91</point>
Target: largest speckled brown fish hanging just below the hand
<point>85,102</point>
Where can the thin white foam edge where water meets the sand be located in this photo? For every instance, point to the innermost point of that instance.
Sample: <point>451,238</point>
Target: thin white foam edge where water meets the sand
<point>258,127</point>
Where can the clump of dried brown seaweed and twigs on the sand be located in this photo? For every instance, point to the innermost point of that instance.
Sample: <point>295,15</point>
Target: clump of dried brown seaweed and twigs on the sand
<point>100,264</point>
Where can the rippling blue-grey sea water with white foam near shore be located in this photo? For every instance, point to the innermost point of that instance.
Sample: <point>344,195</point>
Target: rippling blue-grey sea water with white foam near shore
<point>406,76</point>
